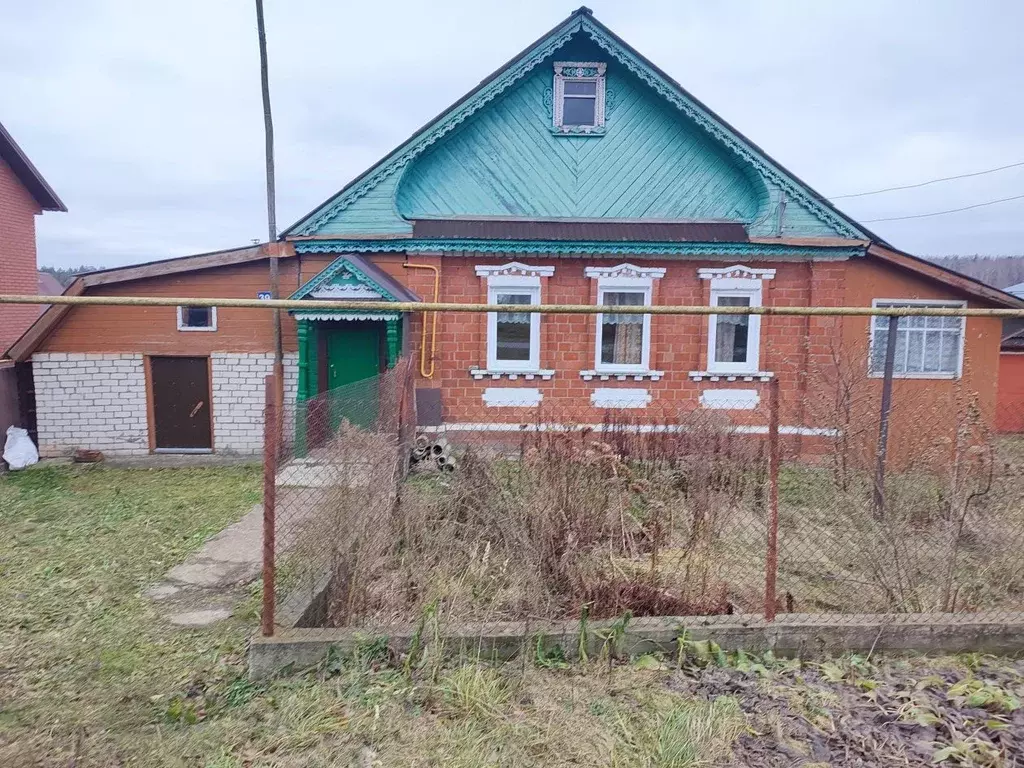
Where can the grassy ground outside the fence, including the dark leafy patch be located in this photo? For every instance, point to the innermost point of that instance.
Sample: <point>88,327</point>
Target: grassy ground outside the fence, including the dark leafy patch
<point>90,676</point>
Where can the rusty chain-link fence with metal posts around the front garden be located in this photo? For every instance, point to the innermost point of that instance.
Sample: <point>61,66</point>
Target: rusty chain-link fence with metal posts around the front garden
<point>832,494</point>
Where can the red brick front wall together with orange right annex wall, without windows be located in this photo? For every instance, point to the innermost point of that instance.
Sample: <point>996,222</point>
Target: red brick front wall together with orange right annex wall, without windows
<point>805,354</point>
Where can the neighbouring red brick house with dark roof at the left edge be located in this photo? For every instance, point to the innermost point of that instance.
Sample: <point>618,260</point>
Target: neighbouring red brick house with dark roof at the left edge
<point>24,195</point>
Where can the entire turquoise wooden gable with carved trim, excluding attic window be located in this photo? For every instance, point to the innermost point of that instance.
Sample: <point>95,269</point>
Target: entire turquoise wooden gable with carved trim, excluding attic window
<point>661,156</point>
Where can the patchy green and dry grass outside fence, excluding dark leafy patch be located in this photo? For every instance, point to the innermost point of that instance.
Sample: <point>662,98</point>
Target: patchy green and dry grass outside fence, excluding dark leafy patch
<point>92,677</point>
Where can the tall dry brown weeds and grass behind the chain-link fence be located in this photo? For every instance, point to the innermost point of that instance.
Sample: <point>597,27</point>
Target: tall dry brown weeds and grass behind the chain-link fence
<point>674,524</point>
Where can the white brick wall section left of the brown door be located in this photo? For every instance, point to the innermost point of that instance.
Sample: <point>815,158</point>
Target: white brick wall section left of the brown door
<point>91,401</point>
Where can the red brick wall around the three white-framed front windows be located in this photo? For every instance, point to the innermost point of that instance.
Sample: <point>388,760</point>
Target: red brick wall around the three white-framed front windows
<point>679,345</point>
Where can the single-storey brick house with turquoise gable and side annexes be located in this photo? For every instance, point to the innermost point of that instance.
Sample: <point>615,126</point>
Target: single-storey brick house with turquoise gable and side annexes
<point>579,174</point>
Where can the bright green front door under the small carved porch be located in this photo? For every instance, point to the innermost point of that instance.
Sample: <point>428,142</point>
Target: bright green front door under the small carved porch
<point>352,364</point>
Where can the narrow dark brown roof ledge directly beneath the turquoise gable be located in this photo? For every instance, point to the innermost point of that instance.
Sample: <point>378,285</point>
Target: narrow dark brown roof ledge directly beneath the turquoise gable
<point>581,230</point>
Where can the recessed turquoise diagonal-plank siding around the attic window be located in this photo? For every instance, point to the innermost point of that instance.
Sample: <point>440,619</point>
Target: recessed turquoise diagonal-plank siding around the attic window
<point>651,163</point>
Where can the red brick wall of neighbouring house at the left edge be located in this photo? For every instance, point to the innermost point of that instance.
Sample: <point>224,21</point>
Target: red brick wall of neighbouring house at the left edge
<point>18,255</point>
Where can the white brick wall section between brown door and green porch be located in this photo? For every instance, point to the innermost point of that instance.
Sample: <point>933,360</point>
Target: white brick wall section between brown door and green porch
<point>239,398</point>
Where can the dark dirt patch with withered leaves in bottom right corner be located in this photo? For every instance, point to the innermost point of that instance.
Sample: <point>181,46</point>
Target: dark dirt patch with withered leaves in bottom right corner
<point>852,713</point>
